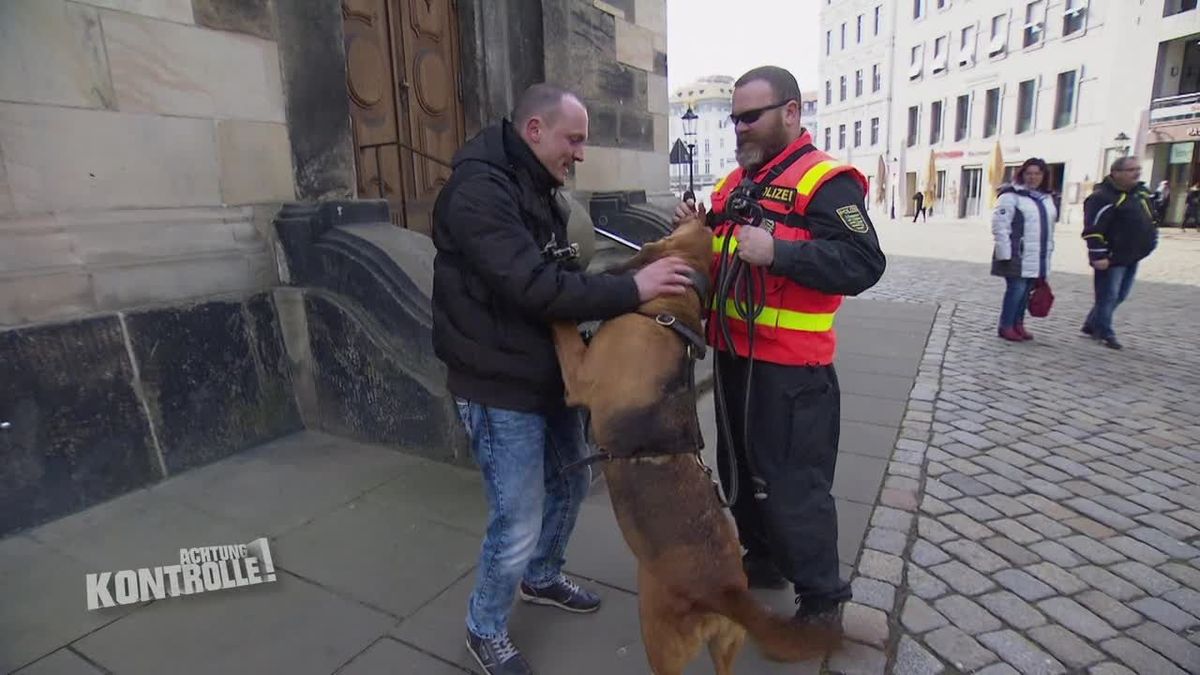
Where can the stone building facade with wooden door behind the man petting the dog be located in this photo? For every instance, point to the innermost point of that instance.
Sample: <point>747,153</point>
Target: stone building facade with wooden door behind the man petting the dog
<point>152,319</point>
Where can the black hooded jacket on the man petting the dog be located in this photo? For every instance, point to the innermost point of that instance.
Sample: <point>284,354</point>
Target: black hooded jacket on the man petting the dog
<point>494,290</point>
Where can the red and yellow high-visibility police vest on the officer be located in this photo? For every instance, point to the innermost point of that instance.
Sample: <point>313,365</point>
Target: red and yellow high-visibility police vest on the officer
<point>796,326</point>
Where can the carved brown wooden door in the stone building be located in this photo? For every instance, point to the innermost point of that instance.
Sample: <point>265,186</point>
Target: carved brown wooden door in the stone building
<point>406,110</point>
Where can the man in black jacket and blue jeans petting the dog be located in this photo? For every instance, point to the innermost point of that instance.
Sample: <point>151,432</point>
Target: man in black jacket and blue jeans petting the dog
<point>503,271</point>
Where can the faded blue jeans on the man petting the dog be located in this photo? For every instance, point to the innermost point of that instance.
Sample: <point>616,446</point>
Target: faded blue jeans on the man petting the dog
<point>532,506</point>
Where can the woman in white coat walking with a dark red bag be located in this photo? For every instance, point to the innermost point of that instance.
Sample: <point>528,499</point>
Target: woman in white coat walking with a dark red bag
<point>1023,229</point>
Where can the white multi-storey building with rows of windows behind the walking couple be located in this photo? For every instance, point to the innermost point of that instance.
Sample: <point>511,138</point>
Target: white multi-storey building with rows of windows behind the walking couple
<point>1075,82</point>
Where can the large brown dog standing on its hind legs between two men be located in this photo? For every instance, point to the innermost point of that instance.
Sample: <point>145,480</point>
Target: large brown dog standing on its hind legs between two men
<point>634,379</point>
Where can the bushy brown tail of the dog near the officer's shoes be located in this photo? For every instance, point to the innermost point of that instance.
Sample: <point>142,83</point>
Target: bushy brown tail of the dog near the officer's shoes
<point>779,638</point>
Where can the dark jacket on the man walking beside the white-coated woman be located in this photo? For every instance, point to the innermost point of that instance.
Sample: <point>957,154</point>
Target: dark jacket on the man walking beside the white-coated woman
<point>1119,225</point>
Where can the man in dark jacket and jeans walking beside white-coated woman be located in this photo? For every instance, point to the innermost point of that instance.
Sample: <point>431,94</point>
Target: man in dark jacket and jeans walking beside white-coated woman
<point>1119,228</point>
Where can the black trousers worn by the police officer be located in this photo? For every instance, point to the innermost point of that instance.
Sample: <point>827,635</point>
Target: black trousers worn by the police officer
<point>794,423</point>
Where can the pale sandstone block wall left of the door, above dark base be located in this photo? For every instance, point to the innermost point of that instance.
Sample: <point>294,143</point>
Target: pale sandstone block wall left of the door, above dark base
<point>136,139</point>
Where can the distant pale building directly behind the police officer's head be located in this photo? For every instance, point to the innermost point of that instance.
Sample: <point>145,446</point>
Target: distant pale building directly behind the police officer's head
<point>712,99</point>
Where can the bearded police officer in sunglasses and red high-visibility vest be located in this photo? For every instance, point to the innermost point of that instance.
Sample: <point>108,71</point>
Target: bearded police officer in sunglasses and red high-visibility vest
<point>790,224</point>
